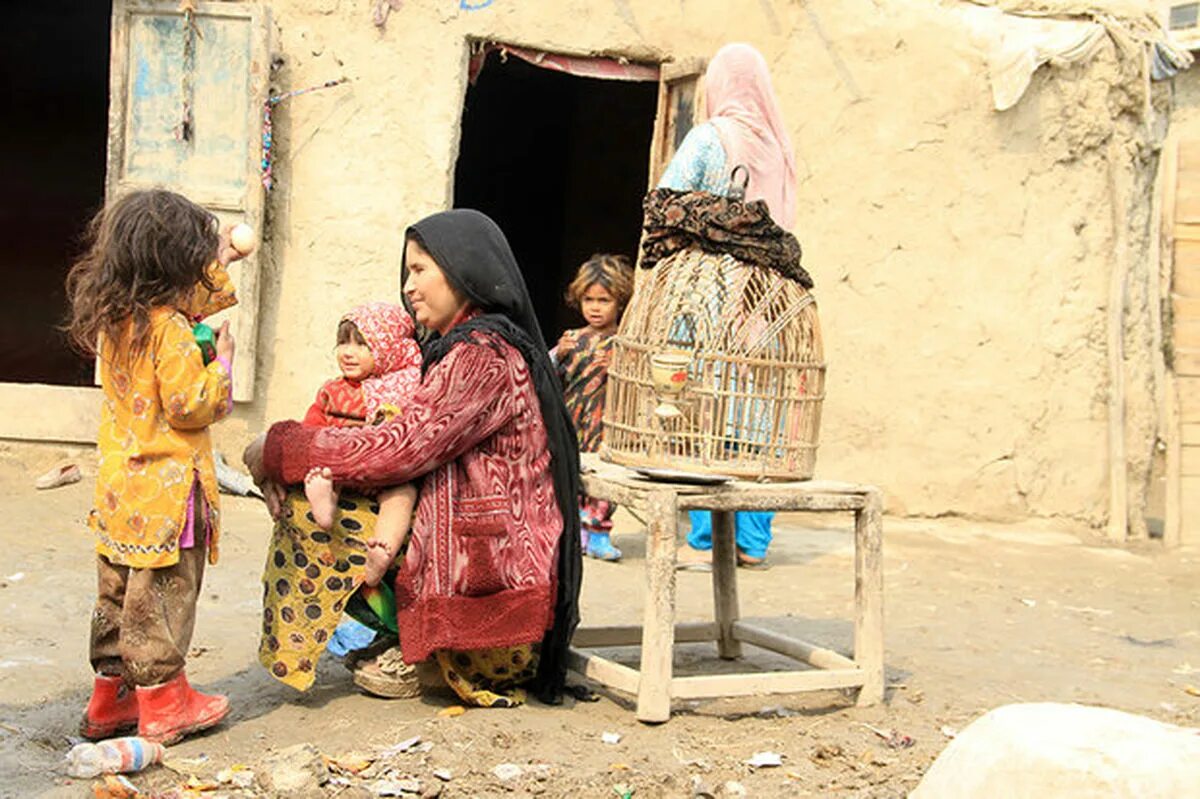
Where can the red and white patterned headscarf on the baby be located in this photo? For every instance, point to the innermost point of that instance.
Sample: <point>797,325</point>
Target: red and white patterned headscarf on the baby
<point>389,332</point>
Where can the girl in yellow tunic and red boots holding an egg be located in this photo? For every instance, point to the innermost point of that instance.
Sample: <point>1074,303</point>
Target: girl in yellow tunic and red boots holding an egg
<point>155,266</point>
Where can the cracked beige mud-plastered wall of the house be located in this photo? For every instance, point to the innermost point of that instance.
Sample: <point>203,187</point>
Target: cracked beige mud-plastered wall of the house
<point>962,256</point>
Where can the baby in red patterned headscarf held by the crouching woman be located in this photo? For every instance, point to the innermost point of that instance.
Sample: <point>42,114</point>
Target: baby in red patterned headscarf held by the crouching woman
<point>381,365</point>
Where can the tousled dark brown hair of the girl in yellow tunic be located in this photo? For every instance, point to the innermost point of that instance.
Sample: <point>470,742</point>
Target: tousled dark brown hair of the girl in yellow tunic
<point>148,249</point>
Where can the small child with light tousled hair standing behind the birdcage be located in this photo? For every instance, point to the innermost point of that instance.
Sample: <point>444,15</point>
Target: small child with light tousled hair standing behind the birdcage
<point>601,291</point>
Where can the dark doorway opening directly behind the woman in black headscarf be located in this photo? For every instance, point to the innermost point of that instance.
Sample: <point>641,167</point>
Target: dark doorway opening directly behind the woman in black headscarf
<point>561,164</point>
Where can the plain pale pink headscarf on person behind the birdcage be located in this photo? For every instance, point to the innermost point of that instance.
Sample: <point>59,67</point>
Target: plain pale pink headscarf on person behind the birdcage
<point>743,109</point>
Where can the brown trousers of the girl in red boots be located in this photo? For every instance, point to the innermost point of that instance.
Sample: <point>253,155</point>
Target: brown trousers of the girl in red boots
<point>143,623</point>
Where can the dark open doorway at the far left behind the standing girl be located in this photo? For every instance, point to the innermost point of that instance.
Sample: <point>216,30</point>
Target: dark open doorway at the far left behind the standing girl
<point>53,147</point>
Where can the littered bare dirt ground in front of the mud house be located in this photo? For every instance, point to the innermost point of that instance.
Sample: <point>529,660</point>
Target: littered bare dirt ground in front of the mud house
<point>977,616</point>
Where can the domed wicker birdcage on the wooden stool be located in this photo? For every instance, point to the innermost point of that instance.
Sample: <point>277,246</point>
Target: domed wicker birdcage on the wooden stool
<point>718,368</point>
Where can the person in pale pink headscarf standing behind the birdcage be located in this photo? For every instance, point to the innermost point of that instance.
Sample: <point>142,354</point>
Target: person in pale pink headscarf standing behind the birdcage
<point>745,129</point>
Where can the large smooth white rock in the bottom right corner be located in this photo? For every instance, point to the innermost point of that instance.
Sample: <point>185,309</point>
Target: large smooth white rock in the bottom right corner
<point>1066,750</point>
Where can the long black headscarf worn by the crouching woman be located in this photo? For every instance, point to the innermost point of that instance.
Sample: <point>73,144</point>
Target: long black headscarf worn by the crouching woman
<point>476,257</point>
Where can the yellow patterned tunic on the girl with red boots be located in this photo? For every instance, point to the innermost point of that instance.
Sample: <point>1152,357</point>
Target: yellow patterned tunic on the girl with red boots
<point>153,441</point>
